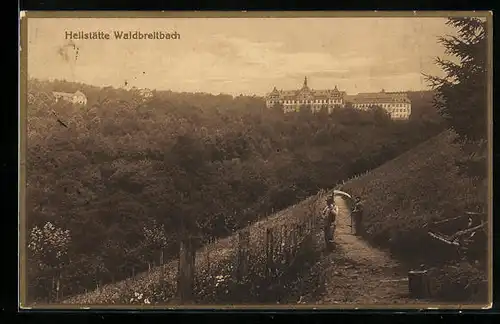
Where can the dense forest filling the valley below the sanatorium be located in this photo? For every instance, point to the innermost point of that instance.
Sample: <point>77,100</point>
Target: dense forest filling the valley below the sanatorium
<point>125,179</point>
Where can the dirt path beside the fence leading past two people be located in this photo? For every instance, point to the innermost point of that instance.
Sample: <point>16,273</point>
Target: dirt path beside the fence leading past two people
<point>357,273</point>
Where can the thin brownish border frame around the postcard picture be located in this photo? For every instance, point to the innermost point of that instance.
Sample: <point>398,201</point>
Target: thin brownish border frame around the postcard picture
<point>23,68</point>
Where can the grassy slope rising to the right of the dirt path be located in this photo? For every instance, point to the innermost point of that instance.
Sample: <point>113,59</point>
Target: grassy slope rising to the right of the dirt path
<point>423,185</point>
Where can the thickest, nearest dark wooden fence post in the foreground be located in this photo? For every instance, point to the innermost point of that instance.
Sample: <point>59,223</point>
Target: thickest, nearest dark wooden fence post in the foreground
<point>185,283</point>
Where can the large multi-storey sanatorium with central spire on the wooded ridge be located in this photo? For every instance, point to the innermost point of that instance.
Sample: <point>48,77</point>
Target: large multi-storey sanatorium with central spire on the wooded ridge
<point>398,105</point>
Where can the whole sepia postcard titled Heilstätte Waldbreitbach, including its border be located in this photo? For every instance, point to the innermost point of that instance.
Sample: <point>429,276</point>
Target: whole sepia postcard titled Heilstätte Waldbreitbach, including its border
<point>255,160</point>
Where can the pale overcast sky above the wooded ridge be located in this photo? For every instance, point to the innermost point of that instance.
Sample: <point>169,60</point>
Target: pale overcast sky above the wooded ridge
<point>238,55</point>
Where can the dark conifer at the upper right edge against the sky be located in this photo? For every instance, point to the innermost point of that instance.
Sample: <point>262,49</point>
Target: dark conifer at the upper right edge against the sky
<point>462,94</point>
